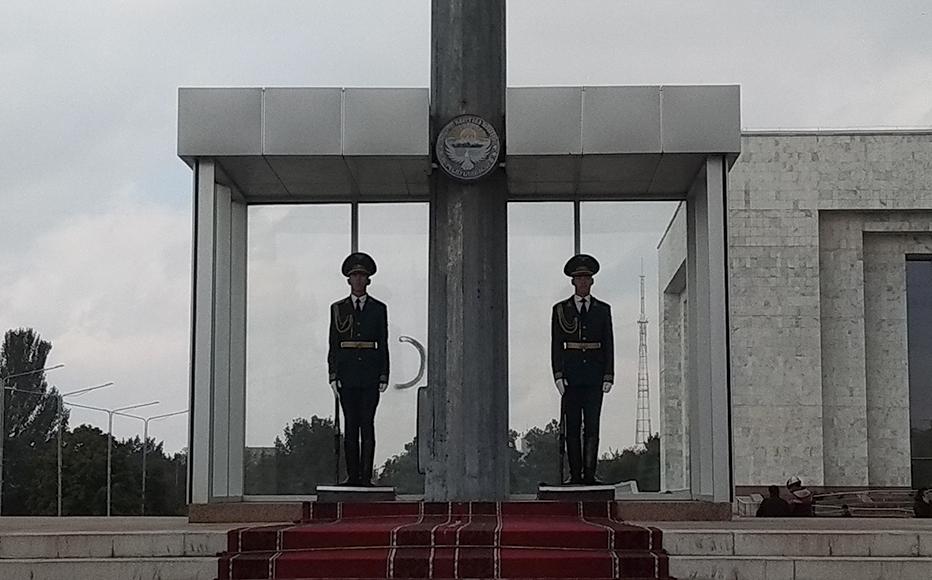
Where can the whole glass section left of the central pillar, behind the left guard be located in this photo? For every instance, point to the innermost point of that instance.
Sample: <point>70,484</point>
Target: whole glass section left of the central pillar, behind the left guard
<point>294,258</point>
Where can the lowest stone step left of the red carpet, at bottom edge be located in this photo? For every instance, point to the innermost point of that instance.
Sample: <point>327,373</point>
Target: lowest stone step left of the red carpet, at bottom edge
<point>191,568</point>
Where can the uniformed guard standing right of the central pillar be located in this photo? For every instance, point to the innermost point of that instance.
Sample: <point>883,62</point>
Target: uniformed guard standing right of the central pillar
<point>582,357</point>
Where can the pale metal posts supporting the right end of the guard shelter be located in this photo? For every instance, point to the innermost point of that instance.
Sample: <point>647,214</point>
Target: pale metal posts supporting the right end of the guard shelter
<point>708,374</point>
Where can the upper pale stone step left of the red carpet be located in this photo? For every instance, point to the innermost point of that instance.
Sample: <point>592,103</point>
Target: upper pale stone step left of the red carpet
<point>79,545</point>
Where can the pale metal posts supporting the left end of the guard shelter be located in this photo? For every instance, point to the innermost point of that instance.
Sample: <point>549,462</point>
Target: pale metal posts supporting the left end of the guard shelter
<point>217,414</point>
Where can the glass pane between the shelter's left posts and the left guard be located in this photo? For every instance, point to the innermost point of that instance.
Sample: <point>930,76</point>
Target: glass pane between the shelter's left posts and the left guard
<point>293,269</point>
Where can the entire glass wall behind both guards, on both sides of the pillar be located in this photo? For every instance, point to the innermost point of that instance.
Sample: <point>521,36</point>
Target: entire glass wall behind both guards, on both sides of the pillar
<point>294,258</point>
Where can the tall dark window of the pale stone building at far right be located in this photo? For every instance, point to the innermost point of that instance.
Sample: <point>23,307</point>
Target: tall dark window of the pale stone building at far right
<point>919,337</point>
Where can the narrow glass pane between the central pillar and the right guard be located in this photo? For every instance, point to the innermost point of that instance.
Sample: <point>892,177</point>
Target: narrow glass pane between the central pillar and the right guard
<point>540,240</point>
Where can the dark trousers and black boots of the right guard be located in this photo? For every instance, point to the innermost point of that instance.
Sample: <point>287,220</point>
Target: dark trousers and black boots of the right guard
<point>582,406</point>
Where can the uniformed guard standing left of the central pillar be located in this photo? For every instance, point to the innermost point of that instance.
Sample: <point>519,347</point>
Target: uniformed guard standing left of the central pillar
<point>358,365</point>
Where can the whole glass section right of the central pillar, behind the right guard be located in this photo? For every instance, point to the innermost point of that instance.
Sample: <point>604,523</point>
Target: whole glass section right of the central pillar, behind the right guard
<point>540,240</point>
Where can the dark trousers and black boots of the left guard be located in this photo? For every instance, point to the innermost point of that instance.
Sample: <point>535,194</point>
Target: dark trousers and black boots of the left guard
<point>359,432</point>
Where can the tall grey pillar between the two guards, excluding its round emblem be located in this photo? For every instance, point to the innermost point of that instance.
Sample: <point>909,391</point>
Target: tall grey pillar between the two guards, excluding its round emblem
<point>468,342</point>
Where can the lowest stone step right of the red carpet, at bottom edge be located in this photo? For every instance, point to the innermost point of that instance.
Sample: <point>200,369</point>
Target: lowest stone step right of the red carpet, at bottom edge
<point>799,568</point>
